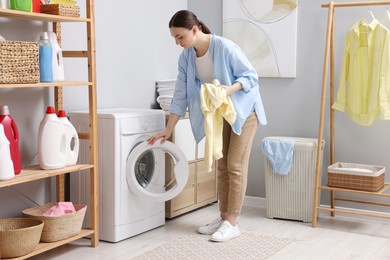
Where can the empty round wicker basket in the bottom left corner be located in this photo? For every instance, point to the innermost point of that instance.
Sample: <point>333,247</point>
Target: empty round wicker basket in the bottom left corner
<point>19,236</point>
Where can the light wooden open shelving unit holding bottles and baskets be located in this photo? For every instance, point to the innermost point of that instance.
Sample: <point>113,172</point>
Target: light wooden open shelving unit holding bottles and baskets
<point>35,173</point>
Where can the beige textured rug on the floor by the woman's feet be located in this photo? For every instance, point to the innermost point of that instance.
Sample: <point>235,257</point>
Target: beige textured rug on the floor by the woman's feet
<point>196,246</point>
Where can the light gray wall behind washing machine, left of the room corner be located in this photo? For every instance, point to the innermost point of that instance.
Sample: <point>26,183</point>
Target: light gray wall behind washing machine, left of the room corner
<point>133,50</point>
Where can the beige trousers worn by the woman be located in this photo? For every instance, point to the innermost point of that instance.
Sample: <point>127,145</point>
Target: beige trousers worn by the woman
<point>233,167</point>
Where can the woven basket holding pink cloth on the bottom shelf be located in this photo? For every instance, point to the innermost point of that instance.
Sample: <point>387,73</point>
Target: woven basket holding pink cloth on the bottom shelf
<point>57,228</point>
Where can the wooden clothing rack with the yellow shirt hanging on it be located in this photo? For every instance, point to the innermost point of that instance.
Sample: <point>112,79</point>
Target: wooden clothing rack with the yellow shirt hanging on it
<point>329,65</point>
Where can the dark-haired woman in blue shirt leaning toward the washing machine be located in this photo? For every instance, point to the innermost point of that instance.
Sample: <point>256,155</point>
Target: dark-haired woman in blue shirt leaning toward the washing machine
<point>207,57</point>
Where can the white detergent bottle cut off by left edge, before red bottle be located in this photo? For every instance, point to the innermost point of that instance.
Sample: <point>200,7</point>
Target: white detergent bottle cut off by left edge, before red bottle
<point>6,164</point>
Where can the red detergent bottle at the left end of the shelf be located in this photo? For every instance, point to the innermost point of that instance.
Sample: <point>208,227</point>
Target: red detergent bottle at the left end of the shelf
<point>12,134</point>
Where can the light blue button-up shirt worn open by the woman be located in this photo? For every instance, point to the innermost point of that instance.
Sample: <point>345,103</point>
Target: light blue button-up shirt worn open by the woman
<point>230,66</point>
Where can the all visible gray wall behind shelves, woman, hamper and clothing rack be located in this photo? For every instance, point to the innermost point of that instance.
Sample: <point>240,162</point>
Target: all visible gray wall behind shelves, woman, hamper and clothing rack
<point>134,49</point>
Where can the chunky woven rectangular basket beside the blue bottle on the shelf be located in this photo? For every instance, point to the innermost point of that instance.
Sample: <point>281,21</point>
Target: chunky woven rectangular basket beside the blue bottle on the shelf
<point>19,62</point>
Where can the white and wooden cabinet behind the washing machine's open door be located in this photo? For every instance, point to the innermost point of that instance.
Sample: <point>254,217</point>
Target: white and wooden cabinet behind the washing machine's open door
<point>201,187</point>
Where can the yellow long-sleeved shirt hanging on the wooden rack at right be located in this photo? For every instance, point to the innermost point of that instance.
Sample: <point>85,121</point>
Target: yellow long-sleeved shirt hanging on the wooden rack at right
<point>364,84</point>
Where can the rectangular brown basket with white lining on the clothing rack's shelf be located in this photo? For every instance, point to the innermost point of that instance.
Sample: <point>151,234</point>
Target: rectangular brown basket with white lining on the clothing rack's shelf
<point>356,176</point>
